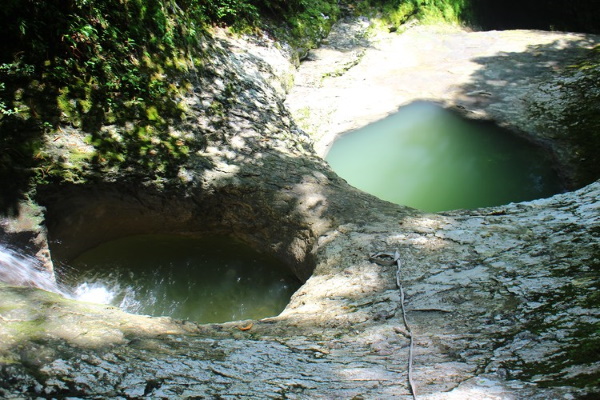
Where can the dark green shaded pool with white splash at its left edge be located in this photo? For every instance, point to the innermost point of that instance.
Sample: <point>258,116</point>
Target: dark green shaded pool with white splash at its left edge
<point>214,279</point>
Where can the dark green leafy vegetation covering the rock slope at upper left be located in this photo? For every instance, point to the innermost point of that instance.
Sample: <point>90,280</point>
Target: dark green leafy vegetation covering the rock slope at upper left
<point>122,64</point>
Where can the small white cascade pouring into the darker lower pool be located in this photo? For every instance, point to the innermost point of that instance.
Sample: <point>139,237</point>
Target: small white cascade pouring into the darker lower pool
<point>22,270</point>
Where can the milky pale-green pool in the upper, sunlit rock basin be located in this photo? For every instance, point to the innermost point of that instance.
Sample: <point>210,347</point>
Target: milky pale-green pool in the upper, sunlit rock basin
<point>431,159</point>
